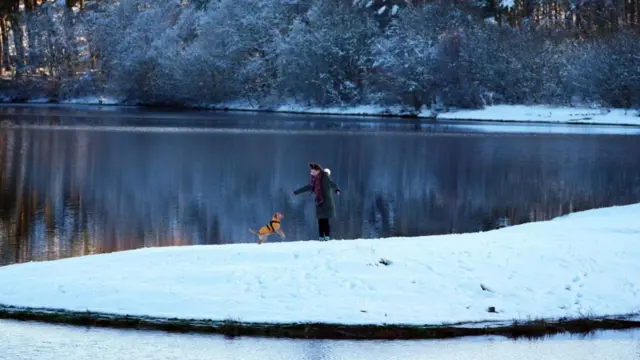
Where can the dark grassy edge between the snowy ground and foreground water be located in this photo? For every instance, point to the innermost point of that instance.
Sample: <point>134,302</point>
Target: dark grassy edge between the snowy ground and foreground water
<point>516,329</point>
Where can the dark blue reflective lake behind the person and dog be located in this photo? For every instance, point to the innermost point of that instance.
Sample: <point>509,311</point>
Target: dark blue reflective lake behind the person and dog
<point>80,180</point>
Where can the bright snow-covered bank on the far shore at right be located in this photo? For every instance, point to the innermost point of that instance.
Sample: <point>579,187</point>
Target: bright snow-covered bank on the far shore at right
<point>548,114</point>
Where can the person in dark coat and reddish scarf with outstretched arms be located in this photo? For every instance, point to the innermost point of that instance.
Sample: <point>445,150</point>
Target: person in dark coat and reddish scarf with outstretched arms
<point>322,188</point>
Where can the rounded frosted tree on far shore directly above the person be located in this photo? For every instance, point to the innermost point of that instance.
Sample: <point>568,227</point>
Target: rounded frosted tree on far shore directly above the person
<point>326,56</point>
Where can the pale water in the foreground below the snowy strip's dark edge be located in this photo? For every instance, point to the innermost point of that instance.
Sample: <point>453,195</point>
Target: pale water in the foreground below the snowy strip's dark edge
<point>35,341</point>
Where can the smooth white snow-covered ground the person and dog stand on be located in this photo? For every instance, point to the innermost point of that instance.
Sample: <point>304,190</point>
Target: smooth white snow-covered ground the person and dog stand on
<point>582,264</point>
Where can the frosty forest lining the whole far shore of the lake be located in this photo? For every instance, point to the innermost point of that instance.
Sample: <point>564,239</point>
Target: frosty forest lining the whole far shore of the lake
<point>450,53</point>
